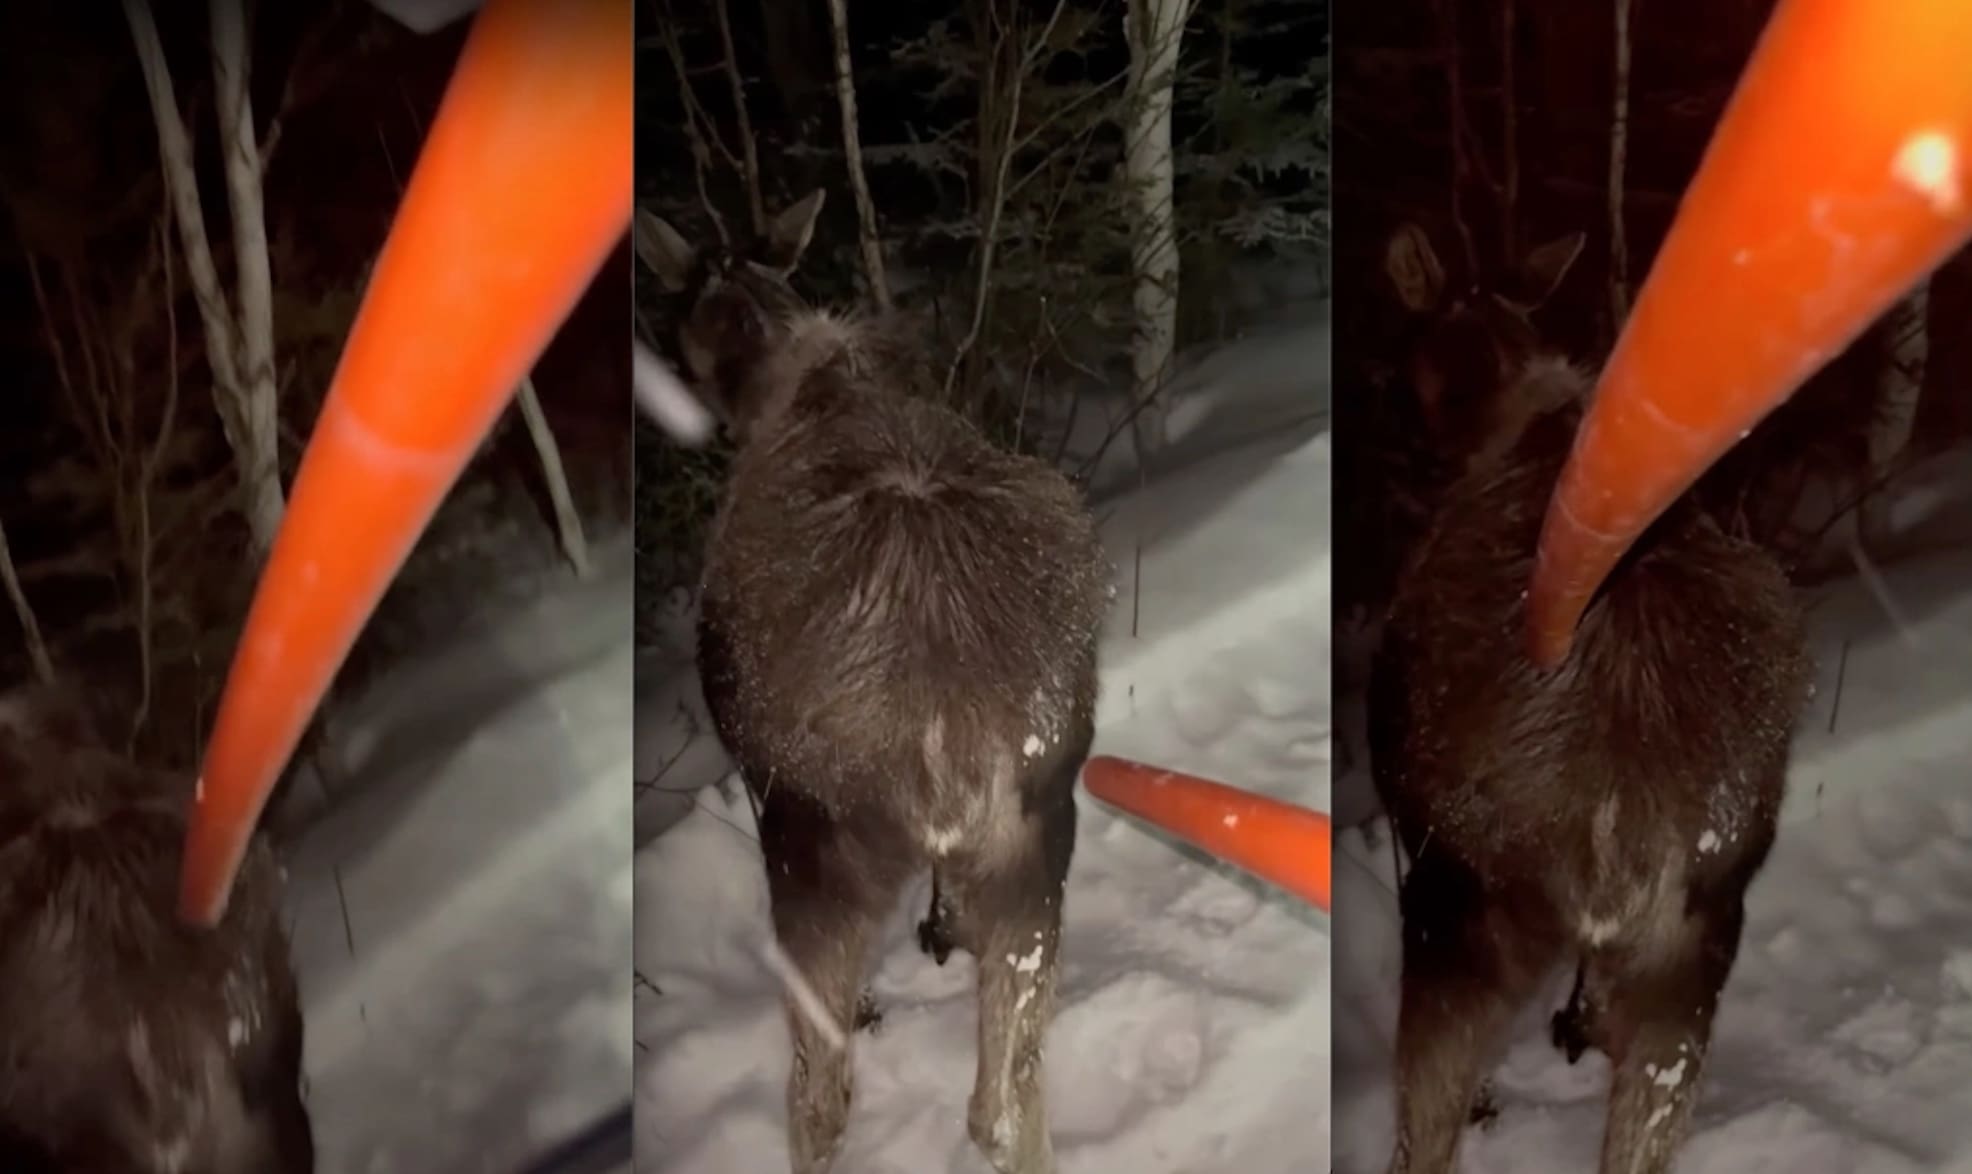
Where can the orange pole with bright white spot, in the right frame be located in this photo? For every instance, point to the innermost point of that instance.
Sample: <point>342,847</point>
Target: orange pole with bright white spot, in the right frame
<point>1835,183</point>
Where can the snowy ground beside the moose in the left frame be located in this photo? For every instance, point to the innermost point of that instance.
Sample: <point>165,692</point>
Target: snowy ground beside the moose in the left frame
<point>462,920</point>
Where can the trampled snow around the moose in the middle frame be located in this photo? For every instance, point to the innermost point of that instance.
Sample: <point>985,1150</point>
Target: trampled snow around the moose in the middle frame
<point>1194,1023</point>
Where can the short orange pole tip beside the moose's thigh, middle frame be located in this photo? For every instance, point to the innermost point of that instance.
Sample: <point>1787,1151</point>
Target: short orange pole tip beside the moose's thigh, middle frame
<point>1281,844</point>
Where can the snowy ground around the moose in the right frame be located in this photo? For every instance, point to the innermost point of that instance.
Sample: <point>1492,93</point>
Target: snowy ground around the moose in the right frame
<point>1845,1039</point>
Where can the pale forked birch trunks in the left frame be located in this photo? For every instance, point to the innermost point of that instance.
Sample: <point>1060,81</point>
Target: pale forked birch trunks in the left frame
<point>240,327</point>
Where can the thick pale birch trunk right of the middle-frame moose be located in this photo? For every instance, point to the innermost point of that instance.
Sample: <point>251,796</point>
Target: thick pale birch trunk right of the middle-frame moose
<point>1153,31</point>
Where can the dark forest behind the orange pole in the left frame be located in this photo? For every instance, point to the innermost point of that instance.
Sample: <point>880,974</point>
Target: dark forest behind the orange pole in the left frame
<point>129,534</point>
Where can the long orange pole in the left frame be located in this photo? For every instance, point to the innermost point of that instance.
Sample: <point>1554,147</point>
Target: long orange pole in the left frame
<point>522,192</point>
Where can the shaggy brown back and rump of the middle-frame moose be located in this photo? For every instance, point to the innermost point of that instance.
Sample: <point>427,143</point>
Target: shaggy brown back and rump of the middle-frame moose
<point>920,593</point>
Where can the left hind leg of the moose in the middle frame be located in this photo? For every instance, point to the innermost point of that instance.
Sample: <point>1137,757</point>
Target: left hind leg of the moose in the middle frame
<point>833,883</point>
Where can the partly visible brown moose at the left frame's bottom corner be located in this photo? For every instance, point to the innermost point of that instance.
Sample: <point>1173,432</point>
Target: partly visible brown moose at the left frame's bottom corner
<point>131,1043</point>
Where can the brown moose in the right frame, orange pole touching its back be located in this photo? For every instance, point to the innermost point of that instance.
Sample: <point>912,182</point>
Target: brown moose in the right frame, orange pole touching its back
<point>1608,814</point>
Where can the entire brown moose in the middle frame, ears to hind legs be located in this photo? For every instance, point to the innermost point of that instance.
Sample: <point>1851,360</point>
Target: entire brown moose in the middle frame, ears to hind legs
<point>898,644</point>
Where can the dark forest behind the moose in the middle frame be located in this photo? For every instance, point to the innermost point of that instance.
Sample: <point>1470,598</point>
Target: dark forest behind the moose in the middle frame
<point>950,100</point>
